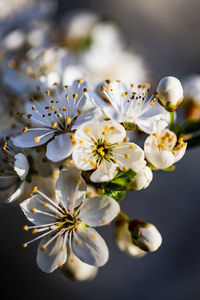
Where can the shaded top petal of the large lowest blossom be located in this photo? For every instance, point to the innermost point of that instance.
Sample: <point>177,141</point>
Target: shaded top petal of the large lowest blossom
<point>70,188</point>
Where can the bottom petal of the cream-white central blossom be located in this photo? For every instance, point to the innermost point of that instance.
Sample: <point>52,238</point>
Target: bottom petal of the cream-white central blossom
<point>105,172</point>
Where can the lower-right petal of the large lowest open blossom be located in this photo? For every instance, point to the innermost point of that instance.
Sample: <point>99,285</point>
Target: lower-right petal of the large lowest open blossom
<point>90,247</point>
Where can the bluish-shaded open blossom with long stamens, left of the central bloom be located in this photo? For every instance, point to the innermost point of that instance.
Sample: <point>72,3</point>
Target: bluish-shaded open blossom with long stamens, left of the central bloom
<point>55,118</point>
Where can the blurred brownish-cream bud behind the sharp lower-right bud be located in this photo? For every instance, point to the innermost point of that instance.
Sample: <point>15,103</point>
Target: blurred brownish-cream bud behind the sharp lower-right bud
<point>124,241</point>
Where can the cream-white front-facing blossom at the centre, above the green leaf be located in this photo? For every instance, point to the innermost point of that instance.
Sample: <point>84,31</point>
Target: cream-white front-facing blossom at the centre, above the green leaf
<point>104,148</point>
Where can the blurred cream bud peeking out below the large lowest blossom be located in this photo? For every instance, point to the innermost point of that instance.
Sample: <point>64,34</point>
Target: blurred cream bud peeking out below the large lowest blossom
<point>77,270</point>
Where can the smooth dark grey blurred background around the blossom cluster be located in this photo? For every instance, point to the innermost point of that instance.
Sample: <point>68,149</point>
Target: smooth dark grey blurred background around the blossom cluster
<point>166,35</point>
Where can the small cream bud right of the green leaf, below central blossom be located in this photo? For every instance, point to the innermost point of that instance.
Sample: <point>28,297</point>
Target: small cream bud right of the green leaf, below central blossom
<point>142,179</point>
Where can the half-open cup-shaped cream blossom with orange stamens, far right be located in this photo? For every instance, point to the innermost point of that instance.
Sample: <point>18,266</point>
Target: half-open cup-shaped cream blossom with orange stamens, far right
<point>162,149</point>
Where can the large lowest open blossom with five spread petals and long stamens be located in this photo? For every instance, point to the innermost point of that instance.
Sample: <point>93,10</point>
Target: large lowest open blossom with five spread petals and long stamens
<point>68,221</point>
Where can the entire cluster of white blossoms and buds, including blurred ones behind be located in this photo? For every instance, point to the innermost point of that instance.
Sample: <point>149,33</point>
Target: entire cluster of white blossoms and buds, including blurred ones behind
<point>80,128</point>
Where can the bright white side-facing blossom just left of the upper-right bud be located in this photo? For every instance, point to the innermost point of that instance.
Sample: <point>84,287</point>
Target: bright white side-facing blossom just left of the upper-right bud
<point>131,105</point>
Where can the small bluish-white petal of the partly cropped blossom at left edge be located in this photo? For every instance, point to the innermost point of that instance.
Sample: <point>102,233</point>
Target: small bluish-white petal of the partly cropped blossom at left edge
<point>21,165</point>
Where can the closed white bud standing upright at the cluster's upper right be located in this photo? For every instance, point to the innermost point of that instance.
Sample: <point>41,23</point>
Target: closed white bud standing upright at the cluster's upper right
<point>170,92</point>
